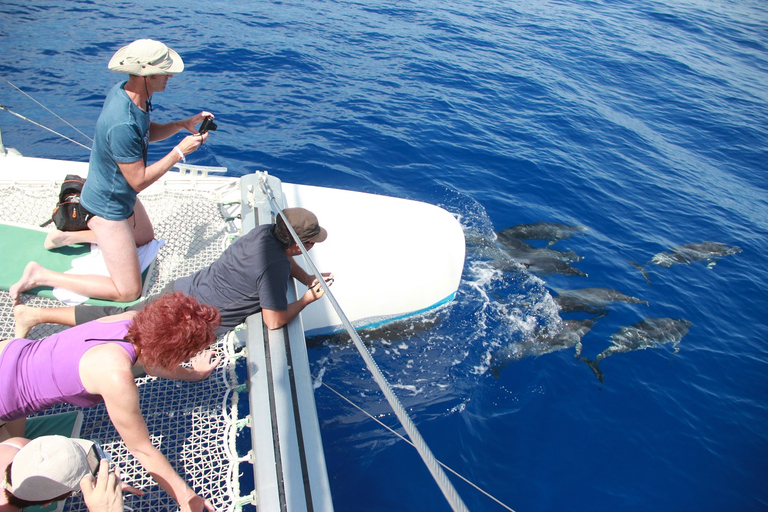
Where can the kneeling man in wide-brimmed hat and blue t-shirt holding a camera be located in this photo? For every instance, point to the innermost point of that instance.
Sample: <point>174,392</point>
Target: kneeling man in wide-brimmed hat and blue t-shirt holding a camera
<point>118,171</point>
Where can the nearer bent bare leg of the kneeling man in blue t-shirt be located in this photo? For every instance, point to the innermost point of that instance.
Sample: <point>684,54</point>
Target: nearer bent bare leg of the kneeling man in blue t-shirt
<point>119,250</point>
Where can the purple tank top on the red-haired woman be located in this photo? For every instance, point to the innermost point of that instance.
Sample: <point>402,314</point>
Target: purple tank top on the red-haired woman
<point>36,374</point>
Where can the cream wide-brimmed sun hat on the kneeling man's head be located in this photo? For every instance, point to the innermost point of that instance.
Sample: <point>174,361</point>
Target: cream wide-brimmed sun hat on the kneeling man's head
<point>145,57</point>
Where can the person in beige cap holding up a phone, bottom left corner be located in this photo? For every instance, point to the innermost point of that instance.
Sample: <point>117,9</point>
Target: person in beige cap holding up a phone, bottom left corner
<point>50,468</point>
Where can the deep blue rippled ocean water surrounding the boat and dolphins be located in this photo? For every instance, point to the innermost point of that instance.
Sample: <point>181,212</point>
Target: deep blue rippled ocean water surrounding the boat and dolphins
<point>645,122</point>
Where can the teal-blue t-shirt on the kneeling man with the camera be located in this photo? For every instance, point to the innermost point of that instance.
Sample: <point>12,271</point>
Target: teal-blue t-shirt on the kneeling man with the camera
<point>121,136</point>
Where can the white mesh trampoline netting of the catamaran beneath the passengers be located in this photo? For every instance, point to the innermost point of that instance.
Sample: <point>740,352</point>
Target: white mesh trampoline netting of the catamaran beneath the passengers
<point>195,425</point>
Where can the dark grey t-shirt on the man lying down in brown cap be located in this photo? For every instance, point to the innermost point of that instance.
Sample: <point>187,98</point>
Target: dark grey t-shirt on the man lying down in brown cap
<point>251,274</point>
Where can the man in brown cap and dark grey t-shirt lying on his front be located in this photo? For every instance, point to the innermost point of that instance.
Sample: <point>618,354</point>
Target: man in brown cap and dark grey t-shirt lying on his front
<point>250,276</point>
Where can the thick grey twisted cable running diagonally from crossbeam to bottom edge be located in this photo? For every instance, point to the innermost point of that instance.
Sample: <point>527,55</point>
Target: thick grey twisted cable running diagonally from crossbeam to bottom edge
<point>418,442</point>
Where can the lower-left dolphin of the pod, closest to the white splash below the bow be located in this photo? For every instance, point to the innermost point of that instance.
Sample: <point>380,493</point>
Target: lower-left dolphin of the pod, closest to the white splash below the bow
<point>544,341</point>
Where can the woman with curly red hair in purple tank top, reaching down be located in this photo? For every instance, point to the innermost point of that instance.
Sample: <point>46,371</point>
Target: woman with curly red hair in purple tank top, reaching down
<point>93,363</point>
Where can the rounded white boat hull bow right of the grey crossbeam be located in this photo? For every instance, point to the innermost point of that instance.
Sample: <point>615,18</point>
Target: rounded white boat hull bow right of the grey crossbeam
<point>391,257</point>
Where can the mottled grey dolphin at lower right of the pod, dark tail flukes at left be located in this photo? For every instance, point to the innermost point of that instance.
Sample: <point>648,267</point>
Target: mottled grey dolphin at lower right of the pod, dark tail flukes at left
<point>648,333</point>
